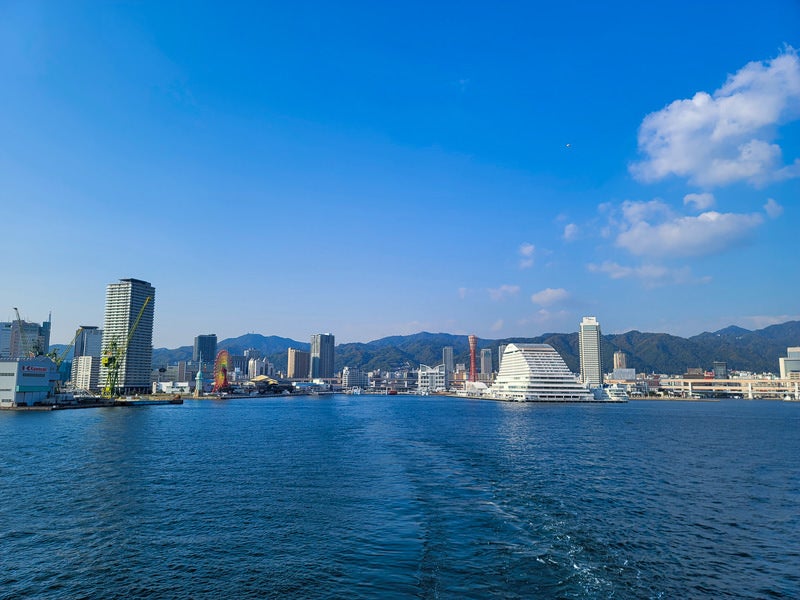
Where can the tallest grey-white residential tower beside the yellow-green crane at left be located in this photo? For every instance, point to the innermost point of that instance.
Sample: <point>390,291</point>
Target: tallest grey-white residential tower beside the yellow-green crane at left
<point>124,301</point>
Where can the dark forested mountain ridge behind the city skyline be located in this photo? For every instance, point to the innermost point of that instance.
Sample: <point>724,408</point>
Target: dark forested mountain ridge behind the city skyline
<point>740,348</point>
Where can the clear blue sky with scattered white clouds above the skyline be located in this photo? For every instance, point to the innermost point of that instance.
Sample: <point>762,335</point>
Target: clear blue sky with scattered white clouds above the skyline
<point>374,169</point>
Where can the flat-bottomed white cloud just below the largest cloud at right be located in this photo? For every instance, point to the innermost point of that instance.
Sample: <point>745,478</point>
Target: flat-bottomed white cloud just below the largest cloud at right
<point>651,229</point>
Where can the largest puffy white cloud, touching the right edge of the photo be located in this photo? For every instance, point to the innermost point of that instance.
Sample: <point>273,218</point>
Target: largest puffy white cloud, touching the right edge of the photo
<point>726,137</point>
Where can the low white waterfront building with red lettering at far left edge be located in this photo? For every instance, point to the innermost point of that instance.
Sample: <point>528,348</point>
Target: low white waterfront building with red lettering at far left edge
<point>27,381</point>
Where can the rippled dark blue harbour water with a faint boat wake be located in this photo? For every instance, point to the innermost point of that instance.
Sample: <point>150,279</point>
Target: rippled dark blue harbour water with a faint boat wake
<point>359,496</point>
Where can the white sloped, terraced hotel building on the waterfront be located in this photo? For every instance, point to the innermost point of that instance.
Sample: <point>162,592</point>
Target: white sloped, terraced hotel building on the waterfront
<point>537,373</point>
